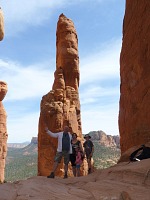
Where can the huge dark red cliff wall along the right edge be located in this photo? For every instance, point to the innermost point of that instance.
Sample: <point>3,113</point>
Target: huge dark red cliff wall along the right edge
<point>134,111</point>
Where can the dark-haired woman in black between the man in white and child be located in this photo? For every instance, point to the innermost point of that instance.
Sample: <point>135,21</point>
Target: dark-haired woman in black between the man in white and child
<point>75,143</point>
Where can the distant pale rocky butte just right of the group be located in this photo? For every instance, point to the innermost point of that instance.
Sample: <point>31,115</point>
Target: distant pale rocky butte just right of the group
<point>104,139</point>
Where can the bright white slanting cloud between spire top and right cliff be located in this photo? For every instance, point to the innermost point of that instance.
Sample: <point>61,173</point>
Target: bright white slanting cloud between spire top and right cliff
<point>104,64</point>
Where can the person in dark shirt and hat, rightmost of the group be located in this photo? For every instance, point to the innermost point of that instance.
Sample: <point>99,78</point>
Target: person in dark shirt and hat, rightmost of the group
<point>88,150</point>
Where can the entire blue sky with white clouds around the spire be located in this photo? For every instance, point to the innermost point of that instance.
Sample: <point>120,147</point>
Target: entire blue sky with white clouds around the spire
<point>28,61</point>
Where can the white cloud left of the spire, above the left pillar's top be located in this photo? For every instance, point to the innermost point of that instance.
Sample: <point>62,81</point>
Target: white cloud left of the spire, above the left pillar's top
<point>26,81</point>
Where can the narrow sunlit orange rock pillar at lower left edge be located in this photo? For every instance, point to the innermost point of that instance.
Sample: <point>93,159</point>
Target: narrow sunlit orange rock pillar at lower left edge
<point>3,130</point>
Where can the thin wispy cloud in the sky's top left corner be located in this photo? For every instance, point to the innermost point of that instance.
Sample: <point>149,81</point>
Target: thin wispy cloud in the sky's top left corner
<point>21,14</point>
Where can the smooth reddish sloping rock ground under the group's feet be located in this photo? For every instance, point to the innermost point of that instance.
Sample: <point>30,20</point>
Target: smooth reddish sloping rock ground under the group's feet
<point>124,181</point>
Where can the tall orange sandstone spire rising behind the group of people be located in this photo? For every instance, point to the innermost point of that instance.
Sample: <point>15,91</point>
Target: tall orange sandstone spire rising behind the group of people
<point>61,106</point>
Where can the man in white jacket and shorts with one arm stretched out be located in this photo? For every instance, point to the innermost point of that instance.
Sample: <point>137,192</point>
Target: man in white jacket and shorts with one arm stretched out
<point>64,149</point>
